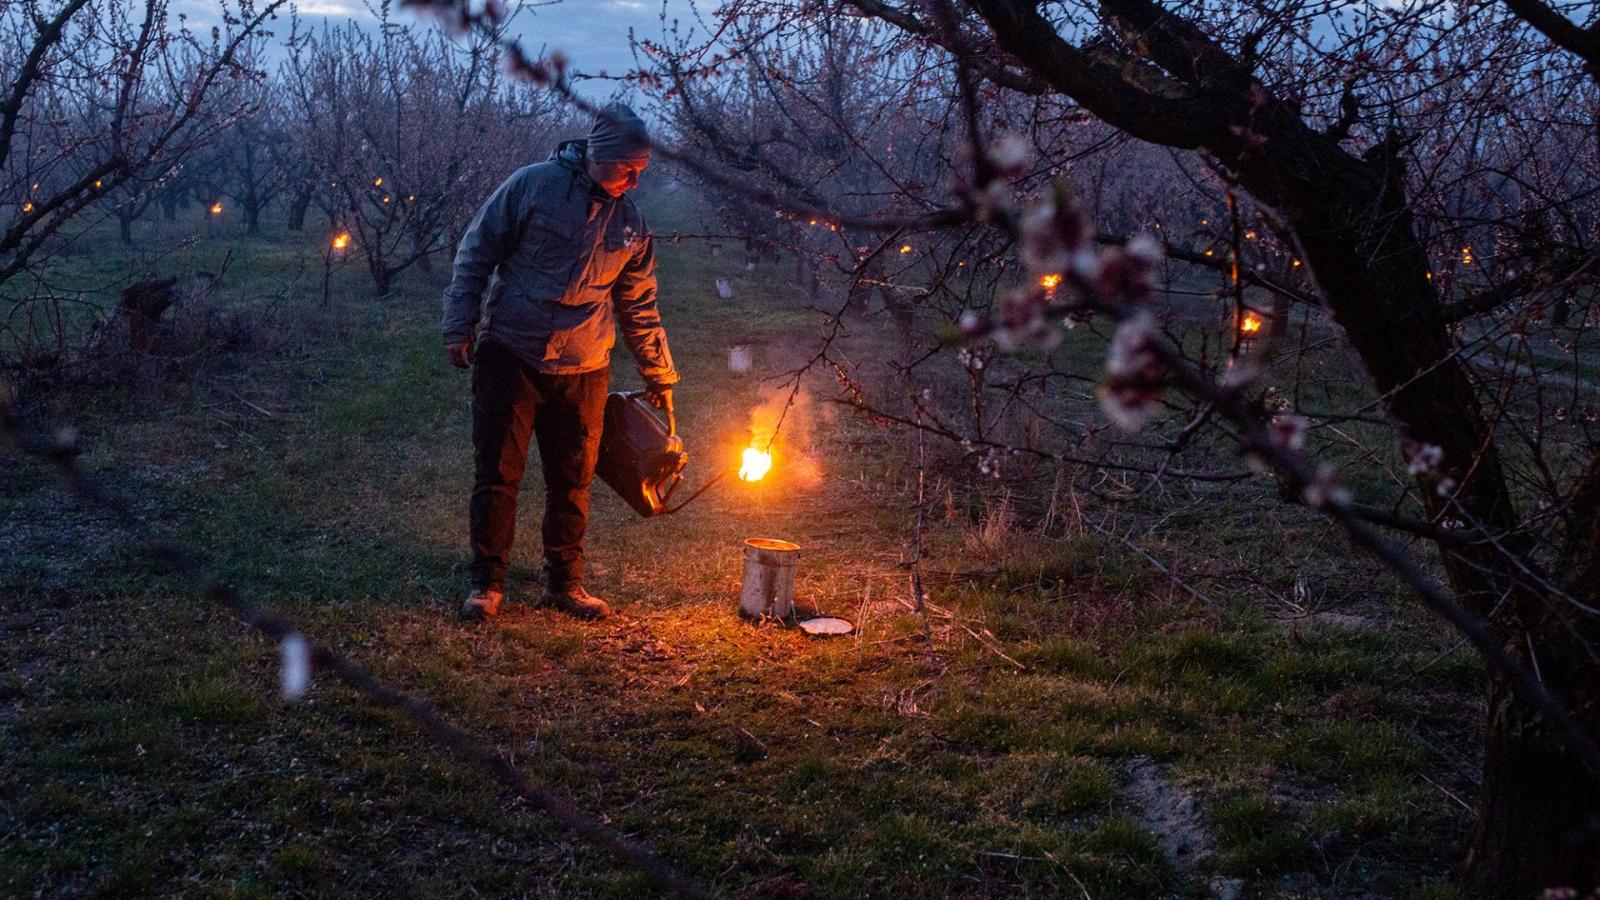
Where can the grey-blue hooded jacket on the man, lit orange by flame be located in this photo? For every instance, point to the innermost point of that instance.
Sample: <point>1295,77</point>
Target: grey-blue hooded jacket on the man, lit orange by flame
<point>561,260</point>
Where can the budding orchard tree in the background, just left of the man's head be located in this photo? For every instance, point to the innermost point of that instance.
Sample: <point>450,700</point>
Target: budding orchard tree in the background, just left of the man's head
<point>407,132</point>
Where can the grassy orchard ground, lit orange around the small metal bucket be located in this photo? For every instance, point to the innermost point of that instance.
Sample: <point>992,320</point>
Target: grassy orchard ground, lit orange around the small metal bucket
<point>148,753</point>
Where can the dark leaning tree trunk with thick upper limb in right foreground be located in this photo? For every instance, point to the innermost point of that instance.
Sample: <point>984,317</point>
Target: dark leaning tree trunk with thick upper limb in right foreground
<point>1354,223</point>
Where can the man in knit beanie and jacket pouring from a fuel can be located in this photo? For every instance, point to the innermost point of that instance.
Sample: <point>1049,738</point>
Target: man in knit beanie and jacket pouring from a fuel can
<point>567,251</point>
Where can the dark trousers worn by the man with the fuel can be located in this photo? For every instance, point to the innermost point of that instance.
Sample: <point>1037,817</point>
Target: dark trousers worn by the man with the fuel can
<point>566,412</point>
